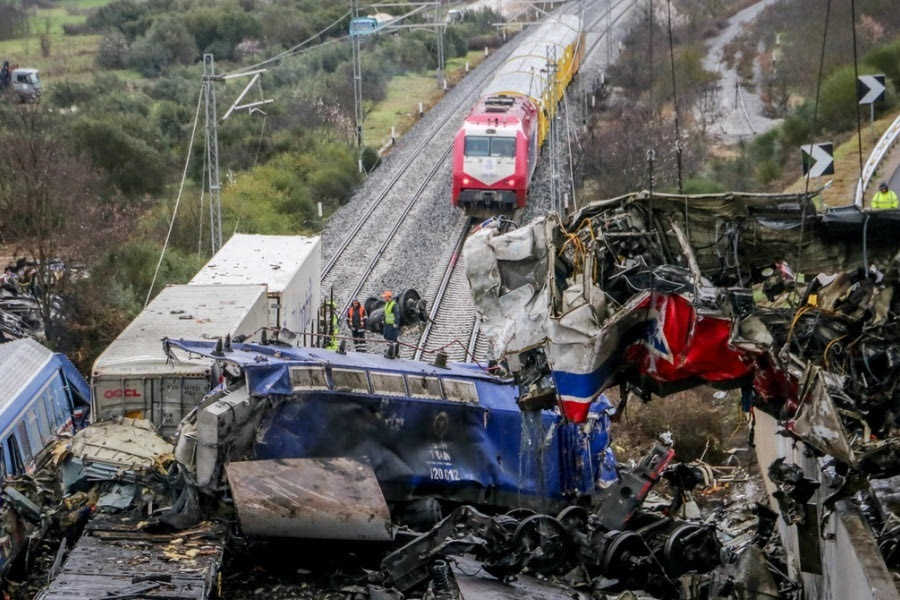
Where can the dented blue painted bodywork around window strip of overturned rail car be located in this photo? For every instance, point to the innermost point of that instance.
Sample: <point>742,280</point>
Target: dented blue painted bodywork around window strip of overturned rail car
<point>487,453</point>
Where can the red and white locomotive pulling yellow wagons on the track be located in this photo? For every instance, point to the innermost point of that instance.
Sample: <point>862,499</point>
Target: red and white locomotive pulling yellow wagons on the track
<point>496,150</point>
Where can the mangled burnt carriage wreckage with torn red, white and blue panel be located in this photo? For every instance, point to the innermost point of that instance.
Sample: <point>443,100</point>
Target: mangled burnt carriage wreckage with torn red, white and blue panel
<point>658,293</point>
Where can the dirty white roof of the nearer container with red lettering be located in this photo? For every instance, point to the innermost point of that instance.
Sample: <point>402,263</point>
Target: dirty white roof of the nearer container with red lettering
<point>180,311</point>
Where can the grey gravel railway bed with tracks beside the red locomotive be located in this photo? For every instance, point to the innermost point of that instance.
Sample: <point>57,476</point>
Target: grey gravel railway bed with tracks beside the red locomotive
<point>399,231</point>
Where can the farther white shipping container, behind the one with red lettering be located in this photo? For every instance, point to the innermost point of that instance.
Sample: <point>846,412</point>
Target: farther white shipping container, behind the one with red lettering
<point>290,266</point>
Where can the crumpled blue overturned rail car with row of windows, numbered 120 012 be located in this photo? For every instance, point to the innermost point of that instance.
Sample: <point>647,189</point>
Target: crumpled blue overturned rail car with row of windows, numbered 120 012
<point>426,433</point>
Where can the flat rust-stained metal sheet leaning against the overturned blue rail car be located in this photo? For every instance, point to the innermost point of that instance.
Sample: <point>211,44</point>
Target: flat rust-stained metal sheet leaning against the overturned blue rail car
<point>334,498</point>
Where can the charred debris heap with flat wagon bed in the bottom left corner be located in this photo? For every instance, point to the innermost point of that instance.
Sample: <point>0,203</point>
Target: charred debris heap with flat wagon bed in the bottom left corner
<point>117,482</point>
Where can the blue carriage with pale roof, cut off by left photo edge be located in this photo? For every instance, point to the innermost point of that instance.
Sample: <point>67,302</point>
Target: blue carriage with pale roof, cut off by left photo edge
<point>42,394</point>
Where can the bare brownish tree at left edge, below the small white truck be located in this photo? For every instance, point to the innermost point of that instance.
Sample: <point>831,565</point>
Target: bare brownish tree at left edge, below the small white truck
<point>49,201</point>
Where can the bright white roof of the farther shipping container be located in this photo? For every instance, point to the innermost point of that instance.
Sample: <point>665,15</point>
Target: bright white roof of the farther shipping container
<point>268,259</point>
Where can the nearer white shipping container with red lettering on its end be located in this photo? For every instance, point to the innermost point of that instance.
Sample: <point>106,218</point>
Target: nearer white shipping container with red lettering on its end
<point>133,377</point>
